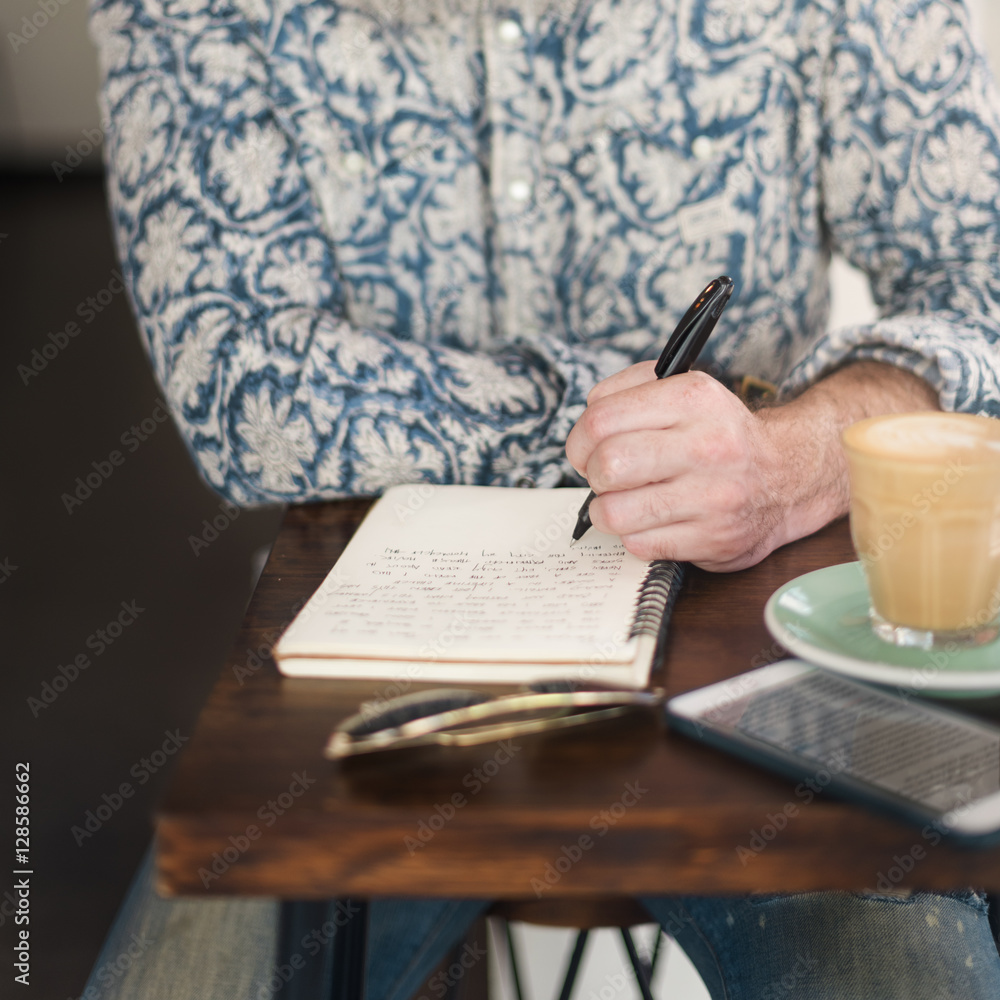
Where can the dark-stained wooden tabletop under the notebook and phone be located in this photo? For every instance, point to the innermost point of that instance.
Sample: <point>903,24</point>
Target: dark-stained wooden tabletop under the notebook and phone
<point>615,809</point>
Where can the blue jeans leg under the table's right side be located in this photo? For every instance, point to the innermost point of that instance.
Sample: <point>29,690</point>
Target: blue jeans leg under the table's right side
<point>837,945</point>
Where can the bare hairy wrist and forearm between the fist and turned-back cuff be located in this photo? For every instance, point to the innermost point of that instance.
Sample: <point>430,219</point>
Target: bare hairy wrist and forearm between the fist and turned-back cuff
<point>809,471</point>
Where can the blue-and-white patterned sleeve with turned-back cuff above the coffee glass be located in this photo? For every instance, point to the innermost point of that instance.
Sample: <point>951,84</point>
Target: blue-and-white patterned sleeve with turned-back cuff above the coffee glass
<point>910,180</point>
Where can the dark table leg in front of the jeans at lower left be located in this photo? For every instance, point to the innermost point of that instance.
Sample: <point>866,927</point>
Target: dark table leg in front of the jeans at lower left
<point>319,956</point>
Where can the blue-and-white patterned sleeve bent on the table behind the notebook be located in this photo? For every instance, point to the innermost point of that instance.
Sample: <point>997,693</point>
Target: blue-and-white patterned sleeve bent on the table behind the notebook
<point>235,286</point>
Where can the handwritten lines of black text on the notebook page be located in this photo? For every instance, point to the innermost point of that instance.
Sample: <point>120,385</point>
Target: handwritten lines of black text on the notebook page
<point>445,601</point>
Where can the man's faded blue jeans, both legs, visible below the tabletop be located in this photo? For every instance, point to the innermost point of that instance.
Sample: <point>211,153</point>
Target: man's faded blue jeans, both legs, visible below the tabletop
<point>820,945</point>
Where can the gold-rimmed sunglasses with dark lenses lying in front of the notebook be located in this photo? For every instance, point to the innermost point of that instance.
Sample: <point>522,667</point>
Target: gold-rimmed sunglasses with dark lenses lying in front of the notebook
<point>462,717</point>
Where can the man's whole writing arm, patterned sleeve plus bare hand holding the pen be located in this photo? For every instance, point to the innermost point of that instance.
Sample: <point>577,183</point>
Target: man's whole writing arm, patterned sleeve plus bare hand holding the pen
<point>910,170</point>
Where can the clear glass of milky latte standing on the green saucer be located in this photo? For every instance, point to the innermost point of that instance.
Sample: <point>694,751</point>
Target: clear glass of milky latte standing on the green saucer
<point>925,522</point>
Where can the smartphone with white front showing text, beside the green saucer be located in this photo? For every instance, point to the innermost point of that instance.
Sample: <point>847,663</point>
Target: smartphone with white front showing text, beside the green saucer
<point>914,760</point>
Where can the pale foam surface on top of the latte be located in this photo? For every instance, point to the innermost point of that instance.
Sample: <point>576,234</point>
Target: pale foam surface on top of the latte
<point>927,436</point>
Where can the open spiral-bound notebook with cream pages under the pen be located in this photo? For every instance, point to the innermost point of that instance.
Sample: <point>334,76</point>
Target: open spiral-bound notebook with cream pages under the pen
<point>479,583</point>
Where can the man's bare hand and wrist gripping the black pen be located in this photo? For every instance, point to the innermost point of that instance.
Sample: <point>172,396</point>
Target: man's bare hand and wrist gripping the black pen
<point>683,470</point>
